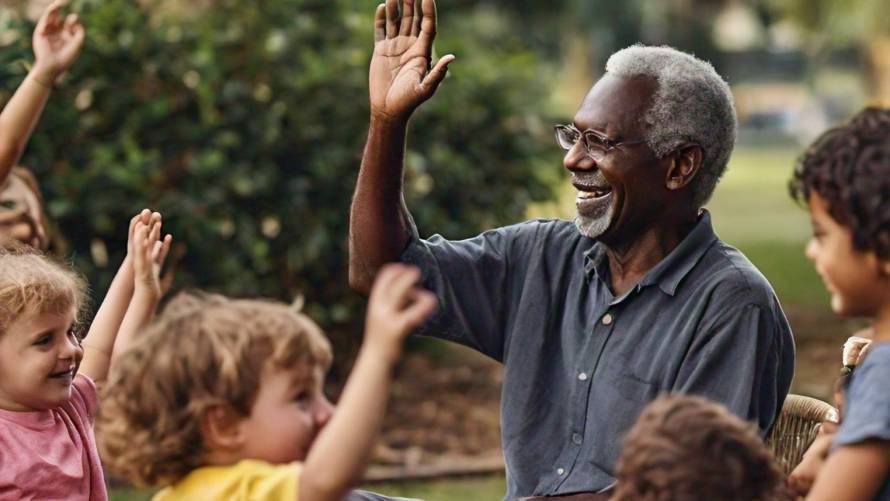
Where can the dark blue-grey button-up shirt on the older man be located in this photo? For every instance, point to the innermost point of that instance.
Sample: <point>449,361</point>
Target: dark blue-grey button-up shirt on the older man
<point>580,363</point>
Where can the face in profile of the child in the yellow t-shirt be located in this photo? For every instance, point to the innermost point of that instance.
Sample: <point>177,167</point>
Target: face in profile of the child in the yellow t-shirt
<point>286,417</point>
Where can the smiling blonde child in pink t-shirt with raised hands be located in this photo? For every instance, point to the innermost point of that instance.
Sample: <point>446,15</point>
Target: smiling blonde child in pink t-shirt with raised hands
<point>47,378</point>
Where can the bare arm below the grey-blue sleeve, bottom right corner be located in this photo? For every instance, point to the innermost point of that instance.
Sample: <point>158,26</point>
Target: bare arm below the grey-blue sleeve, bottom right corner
<point>853,472</point>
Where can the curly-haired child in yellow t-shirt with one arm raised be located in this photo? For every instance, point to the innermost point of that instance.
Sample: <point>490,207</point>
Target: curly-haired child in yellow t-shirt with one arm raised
<point>231,403</point>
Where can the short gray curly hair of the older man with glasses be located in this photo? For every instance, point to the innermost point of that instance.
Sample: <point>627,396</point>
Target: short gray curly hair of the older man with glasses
<point>692,104</point>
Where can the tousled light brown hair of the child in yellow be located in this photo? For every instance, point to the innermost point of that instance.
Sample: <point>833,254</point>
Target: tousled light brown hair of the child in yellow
<point>203,351</point>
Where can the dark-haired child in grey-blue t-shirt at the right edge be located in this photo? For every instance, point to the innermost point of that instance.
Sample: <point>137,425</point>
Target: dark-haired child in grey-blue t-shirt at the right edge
<point>844,178</point>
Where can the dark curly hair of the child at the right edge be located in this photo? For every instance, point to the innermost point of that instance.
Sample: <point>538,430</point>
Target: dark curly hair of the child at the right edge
<point>849,167</point>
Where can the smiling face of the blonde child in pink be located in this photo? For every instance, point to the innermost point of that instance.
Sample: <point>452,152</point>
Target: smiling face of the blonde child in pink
<point>39,357</point>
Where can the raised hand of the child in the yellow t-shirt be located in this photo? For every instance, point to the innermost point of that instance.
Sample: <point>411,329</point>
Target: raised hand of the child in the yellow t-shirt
<point>396,307</point>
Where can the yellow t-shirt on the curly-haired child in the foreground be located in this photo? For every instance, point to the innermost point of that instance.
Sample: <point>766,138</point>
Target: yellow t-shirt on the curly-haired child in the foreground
<point>248,480</point>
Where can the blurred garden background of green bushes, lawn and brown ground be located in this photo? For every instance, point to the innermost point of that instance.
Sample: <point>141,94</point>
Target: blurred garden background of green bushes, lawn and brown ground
<point>243,122</point>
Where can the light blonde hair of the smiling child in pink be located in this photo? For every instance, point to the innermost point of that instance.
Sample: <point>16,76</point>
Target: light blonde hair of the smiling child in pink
<point>33,284</point>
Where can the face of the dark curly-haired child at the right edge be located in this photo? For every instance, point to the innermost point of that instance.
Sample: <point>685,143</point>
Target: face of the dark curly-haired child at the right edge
<point>852,277</point>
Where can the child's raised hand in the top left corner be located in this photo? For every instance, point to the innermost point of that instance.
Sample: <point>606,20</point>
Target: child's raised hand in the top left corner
<point>57,41</point>
